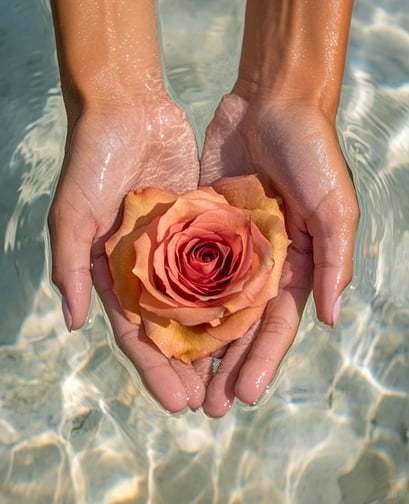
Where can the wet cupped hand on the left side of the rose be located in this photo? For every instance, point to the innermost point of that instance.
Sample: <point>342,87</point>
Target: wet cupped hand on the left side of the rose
<point>111,150</point>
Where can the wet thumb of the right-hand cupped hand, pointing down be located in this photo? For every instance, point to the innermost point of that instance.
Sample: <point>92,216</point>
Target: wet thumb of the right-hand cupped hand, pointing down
<point>333,227</point>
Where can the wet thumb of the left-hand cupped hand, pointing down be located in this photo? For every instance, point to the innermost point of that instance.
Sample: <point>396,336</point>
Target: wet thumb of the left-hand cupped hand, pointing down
<point>71,240</point>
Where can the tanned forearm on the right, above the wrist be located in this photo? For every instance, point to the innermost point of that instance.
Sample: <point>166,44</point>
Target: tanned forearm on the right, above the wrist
<point>294,49</point>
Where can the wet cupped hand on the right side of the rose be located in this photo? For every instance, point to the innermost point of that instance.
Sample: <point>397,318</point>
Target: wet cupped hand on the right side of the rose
<point>294,146</point>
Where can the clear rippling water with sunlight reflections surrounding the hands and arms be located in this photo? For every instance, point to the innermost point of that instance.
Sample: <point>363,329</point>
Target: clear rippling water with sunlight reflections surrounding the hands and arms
<point>75,424</point>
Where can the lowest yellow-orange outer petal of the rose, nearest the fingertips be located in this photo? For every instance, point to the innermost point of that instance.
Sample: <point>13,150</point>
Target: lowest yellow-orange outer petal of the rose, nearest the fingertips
<point>174,340</point>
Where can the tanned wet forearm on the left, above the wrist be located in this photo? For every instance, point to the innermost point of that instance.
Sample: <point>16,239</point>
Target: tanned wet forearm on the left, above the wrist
<point>108,50</point>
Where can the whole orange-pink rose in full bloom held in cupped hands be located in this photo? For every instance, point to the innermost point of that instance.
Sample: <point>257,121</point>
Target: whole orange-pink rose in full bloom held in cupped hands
<point>198,269</point>
